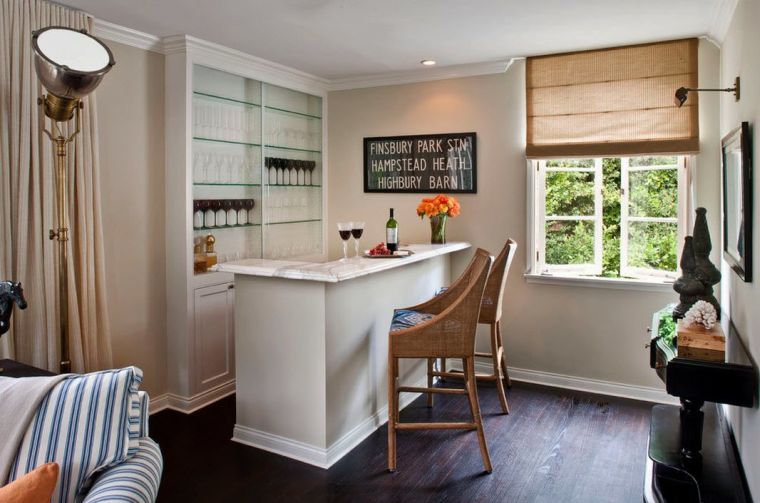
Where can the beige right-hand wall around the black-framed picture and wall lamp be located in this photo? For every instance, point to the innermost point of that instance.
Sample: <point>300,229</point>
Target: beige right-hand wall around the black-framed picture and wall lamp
<point>740,55</point>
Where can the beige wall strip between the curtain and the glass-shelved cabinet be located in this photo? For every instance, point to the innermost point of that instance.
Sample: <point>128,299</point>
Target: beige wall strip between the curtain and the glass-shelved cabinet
<point>131,127</point>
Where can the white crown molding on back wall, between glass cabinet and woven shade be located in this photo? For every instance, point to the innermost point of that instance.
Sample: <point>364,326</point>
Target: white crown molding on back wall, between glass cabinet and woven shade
<point>422,75</point>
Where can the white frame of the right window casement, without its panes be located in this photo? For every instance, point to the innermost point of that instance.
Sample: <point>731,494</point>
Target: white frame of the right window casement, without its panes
<point>625,219</point>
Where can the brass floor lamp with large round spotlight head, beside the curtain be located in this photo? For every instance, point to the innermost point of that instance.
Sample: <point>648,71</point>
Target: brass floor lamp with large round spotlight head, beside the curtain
<point>70,64</point>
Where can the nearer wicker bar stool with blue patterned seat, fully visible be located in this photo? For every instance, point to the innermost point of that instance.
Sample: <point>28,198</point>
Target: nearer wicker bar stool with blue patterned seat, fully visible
<point>443,327</point>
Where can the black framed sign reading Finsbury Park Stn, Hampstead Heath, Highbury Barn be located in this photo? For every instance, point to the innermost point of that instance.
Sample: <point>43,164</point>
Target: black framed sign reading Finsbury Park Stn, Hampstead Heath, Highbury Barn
<point>428,163</point>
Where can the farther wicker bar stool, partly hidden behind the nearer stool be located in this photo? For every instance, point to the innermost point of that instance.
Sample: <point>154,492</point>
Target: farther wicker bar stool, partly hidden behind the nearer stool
<point>490,314</point>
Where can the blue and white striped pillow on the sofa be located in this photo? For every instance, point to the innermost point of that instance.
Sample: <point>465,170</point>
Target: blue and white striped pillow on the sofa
<point>86,424</point>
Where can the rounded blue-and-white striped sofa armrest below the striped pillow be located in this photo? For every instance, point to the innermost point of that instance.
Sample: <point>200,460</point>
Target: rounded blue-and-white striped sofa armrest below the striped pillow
<point>136,480</point>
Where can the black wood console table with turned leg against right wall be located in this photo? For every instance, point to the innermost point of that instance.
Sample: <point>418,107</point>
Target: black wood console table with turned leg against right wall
<point>691,454</point>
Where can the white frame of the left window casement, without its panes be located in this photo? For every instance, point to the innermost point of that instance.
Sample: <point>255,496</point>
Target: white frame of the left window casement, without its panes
<point>590,269</point>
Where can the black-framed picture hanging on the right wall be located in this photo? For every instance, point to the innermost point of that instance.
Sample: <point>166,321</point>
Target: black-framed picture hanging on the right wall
<point>736,161</point>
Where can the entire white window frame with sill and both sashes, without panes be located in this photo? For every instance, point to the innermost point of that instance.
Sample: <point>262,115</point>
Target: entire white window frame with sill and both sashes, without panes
<point>536,267</point>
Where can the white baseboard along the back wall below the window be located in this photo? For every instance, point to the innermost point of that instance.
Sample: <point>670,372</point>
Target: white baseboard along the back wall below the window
<point>644,393</point>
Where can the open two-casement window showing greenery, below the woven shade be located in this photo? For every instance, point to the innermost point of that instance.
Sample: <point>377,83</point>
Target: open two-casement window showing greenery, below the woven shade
<point>618,217</point>
